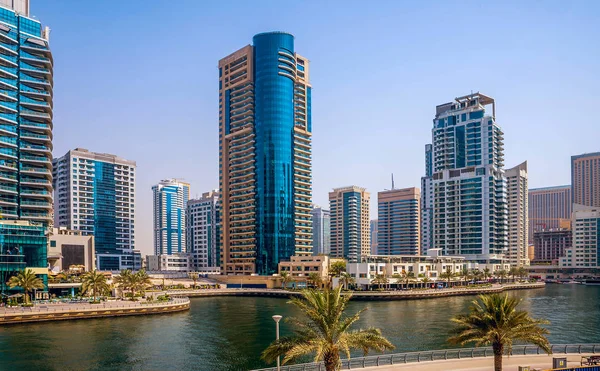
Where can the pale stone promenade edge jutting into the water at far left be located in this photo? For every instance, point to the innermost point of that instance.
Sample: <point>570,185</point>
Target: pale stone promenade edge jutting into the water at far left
<point>65,311</point>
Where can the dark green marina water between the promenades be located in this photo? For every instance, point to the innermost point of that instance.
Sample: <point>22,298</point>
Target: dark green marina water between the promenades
<point>228,333</point>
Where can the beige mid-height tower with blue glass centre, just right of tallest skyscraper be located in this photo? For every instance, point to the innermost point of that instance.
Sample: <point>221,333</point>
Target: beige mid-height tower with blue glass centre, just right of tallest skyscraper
<point>350,230</point>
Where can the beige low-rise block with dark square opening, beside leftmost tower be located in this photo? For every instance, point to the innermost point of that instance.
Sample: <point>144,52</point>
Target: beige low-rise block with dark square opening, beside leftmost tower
<point>71,249</point>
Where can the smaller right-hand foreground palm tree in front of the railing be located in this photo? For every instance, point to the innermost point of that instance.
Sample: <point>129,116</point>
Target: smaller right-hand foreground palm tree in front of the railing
<point>494,319</point>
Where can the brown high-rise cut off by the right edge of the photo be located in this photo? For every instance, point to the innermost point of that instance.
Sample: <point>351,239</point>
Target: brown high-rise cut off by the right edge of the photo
<point>585,179</point>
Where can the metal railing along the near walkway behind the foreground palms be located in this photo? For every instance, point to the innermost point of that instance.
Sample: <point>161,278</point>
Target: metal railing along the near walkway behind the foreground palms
<point>437,355</point>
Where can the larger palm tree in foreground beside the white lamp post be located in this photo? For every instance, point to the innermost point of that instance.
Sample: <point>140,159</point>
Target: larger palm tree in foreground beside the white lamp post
<point>325,332</point>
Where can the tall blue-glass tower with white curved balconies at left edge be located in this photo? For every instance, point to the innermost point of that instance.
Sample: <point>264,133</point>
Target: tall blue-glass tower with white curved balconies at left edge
<point>25,141</point>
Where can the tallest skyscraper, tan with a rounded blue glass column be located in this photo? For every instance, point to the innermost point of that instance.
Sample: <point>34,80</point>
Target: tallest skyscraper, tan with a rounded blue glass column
<point>264,155</point>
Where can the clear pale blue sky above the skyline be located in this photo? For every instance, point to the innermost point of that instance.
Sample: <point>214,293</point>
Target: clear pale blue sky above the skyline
<point>139,79</point>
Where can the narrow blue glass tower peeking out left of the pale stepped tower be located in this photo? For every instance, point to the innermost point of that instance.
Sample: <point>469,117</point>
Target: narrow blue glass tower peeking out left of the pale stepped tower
<point>427,202</point>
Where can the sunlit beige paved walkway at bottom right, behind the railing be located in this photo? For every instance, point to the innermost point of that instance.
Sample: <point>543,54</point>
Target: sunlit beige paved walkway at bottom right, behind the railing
<point>541,362</point>
